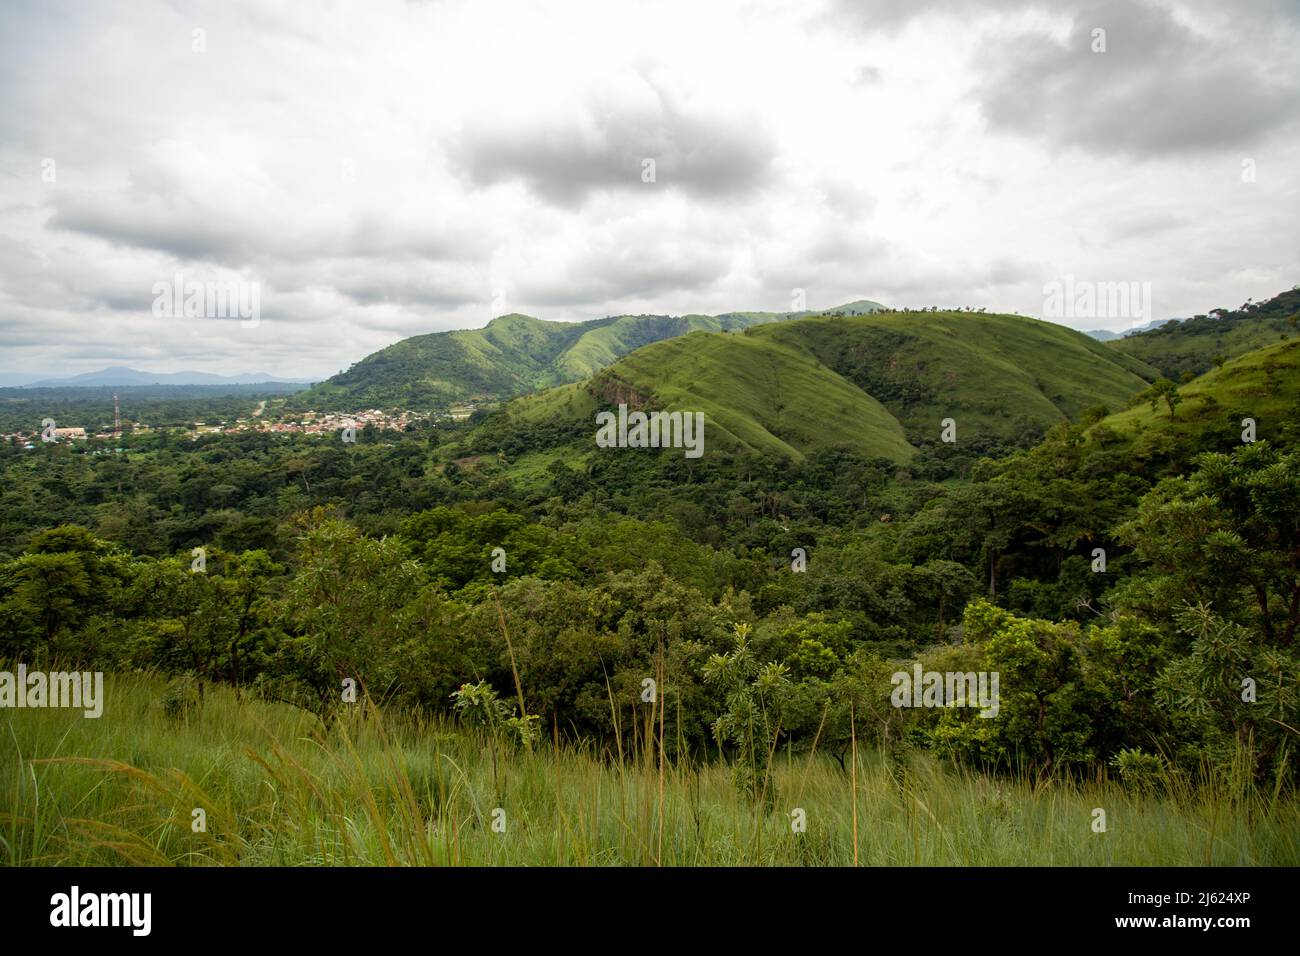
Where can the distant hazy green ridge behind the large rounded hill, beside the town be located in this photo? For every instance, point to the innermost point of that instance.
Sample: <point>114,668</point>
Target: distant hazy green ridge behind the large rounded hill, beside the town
<point>514,354</point>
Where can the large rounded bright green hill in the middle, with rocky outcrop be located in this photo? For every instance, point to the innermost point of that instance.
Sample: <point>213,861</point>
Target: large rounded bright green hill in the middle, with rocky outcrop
<point>879,384</point>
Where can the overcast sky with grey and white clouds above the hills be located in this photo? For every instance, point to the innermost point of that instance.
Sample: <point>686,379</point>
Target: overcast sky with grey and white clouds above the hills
<point>382,170</point>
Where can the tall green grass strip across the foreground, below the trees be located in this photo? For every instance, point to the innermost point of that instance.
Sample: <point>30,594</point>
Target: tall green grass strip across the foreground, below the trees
<point>281,788</point>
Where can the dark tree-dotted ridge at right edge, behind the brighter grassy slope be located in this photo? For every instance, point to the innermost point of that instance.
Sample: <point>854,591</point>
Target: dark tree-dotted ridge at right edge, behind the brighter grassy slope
<point>1193,345</point>
